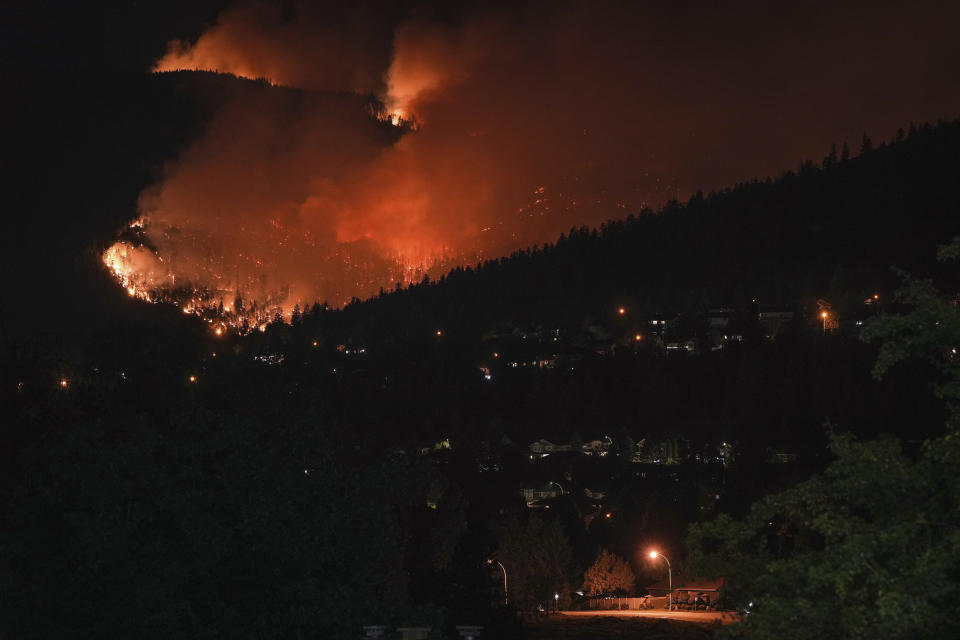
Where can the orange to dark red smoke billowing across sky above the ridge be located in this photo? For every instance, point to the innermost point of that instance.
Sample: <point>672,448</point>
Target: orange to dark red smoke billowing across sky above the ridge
<point>496,128</point>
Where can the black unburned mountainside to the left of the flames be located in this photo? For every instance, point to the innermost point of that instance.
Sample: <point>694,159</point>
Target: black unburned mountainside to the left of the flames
<point>79,149</point>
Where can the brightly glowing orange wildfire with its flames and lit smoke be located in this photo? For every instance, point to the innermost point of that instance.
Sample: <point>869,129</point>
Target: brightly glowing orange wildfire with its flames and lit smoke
<point>285,202</point>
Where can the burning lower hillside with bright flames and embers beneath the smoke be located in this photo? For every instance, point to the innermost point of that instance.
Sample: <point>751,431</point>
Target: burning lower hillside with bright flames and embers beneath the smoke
<point>246,289</point>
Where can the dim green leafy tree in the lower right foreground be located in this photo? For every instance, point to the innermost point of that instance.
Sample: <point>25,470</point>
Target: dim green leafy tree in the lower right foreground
<point>870,548</point>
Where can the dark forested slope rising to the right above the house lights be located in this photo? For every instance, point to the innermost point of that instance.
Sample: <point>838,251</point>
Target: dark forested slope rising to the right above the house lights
<point>830,231</point>
